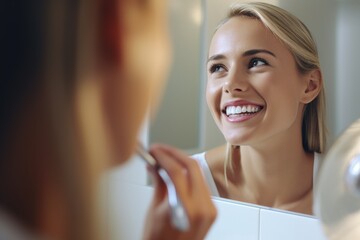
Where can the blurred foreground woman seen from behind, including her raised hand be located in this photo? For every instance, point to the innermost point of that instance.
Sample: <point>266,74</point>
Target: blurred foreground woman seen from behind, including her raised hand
<point>77,79</point>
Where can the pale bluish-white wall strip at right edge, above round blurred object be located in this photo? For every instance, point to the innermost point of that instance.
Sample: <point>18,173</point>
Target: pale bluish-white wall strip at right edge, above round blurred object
<point>348,64</point>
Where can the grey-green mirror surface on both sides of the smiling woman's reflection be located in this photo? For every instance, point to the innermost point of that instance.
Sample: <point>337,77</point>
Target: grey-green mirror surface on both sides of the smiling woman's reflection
<point>183,119</point>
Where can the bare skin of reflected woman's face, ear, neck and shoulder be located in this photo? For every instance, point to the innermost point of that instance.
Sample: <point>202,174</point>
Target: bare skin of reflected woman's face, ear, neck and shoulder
<point>247,65</point>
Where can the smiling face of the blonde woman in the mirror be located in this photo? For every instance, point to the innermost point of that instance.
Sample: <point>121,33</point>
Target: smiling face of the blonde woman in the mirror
<point>254,89</point>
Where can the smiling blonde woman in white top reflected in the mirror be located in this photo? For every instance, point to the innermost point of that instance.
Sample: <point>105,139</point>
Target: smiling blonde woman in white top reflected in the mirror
<point>266,94</point>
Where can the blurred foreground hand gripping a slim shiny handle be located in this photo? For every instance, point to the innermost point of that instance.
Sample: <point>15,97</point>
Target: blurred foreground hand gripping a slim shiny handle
<point>191,188</point>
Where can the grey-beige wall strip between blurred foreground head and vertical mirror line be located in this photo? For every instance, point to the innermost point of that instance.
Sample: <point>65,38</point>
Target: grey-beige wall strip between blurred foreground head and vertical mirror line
<point>177,121</point>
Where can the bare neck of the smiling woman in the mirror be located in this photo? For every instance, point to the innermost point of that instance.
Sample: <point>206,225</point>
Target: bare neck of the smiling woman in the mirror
<point>277,176</point>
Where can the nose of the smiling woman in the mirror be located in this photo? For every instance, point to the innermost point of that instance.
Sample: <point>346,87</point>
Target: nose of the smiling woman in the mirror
<point>235,82</point>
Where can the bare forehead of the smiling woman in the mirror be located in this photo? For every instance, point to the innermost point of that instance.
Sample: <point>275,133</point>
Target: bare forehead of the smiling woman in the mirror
<point>243,33</point>
